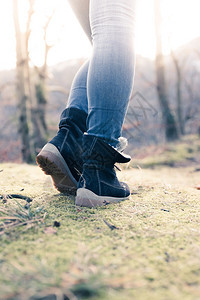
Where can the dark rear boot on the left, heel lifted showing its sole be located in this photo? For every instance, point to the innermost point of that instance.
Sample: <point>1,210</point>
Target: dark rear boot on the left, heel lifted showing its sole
<point>61,157</point>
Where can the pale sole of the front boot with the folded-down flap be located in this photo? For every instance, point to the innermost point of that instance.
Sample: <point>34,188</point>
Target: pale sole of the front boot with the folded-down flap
<point>87,198</point>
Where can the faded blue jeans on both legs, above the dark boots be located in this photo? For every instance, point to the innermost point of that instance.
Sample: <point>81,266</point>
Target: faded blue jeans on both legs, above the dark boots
<point>103,85</point>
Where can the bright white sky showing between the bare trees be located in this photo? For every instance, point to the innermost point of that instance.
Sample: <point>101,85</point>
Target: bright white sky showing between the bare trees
<point>181,23</point>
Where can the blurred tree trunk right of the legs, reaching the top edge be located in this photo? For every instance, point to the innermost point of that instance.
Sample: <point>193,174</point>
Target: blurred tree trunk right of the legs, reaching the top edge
<point>171,132</point>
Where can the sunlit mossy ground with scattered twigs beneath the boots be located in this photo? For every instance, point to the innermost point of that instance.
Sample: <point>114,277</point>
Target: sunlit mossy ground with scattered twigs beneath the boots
<point>146,247</point>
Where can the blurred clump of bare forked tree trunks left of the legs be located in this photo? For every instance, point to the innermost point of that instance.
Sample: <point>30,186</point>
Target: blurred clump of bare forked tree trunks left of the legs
<point>31,87</point>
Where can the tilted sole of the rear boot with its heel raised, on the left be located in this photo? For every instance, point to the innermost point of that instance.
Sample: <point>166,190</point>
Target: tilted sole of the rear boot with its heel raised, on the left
<point>52,163</point>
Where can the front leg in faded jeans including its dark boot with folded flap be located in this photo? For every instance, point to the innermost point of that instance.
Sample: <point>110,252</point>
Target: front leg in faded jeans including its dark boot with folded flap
<point>110,80</point>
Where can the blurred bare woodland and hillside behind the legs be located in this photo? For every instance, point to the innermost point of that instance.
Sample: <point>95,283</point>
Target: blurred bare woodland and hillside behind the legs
<point>164,106</point>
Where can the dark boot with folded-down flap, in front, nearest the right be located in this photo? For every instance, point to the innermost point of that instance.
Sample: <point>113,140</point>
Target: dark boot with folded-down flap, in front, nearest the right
<point>98,184</point>
